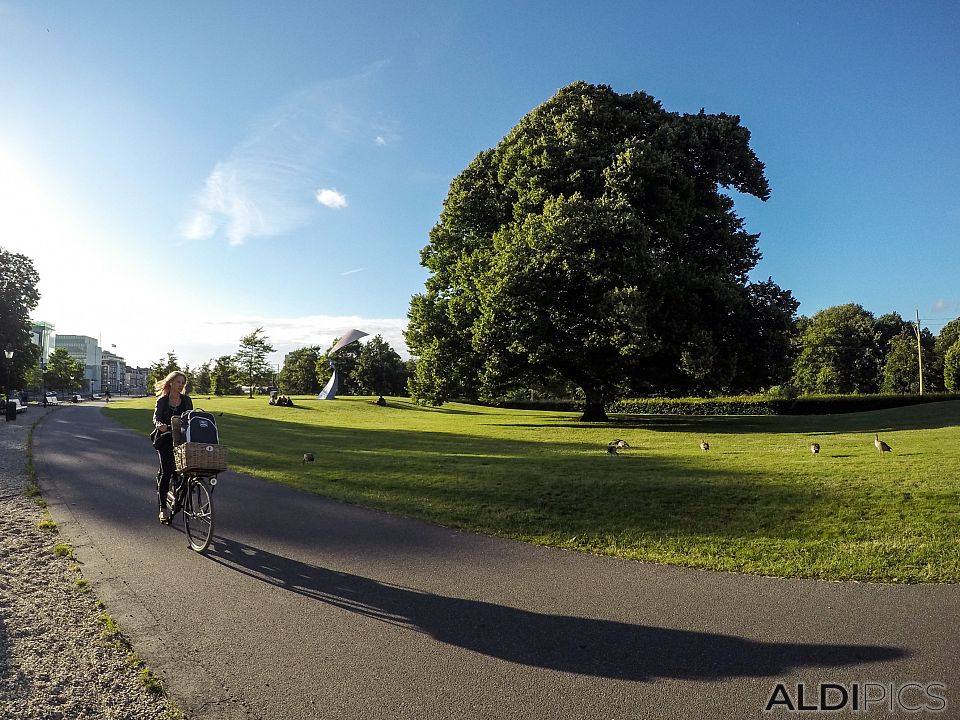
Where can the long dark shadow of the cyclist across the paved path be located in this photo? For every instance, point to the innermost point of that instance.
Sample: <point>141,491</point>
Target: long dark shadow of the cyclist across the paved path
<point>586,646</point>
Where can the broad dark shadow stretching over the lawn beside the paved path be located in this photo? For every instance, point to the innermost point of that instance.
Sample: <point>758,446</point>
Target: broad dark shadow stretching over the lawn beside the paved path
<point>523,488</point>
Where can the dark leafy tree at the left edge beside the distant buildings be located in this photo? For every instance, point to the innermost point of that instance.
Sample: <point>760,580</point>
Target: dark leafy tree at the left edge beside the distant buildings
<point>18,297</point>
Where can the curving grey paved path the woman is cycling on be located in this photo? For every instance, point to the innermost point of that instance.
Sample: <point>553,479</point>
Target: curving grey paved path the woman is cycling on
<point>306,608</point>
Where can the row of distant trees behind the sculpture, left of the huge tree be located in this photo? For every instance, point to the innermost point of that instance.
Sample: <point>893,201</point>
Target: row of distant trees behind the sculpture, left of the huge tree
<point>371,368</point>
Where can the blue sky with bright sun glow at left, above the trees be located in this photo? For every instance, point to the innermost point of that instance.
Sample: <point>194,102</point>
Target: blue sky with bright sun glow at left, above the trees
<point>281,164</point>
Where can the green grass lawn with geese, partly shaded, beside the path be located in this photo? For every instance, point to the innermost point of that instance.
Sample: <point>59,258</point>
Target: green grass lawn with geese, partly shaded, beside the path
<point>758,501</point>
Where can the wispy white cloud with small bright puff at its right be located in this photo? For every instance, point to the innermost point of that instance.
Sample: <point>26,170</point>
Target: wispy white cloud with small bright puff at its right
<point>266,186</point>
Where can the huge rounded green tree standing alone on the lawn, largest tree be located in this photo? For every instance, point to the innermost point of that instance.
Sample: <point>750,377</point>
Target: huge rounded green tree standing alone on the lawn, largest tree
<point>593,242</point>
